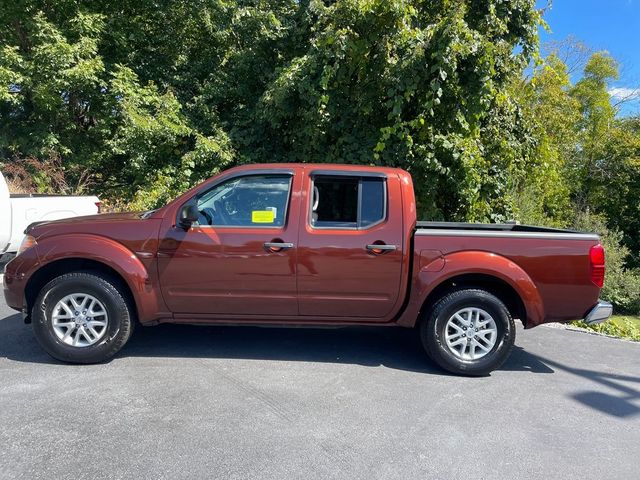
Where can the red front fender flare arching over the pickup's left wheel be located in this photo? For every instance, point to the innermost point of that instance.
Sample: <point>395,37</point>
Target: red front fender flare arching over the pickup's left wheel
<point>110,253</point>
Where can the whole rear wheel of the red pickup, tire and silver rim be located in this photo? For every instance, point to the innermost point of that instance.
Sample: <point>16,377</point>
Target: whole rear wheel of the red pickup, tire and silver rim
<point>468,332</point>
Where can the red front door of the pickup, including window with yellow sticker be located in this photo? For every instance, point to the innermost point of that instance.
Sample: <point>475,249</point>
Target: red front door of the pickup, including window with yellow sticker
<point>239,258</point>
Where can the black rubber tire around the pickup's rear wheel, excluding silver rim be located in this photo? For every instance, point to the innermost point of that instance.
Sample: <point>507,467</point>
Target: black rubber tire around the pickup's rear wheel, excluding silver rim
<point>433,325</point>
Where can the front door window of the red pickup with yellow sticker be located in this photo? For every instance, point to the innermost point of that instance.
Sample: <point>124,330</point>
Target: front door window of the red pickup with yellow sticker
<point>250,201</point>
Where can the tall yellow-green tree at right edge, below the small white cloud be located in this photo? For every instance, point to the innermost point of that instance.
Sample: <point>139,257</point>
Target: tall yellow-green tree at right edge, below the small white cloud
<point>605,171</point>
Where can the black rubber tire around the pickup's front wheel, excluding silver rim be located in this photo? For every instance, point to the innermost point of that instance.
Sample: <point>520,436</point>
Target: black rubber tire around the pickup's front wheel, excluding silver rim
<point>119,324</point>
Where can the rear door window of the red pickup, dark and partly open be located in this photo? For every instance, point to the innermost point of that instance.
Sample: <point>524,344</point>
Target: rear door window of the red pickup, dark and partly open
<point>347,202</point>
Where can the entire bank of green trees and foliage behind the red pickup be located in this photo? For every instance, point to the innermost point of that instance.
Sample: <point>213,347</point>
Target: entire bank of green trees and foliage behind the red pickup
<point>139,100</point>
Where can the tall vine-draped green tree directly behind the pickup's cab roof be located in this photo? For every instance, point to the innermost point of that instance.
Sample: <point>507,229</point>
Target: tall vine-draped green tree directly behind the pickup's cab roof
<point>419,85</point>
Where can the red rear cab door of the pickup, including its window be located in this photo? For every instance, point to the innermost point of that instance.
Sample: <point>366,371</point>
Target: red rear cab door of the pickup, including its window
<point>350,249</point>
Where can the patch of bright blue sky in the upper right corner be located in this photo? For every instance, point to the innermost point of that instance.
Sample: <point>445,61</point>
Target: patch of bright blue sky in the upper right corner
<point>612,25</point>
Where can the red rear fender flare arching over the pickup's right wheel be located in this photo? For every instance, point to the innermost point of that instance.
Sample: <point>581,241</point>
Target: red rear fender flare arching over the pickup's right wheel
<point>483,263</point>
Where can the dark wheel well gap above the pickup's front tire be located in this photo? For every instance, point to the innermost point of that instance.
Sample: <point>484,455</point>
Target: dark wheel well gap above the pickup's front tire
<point>56,268</point>
